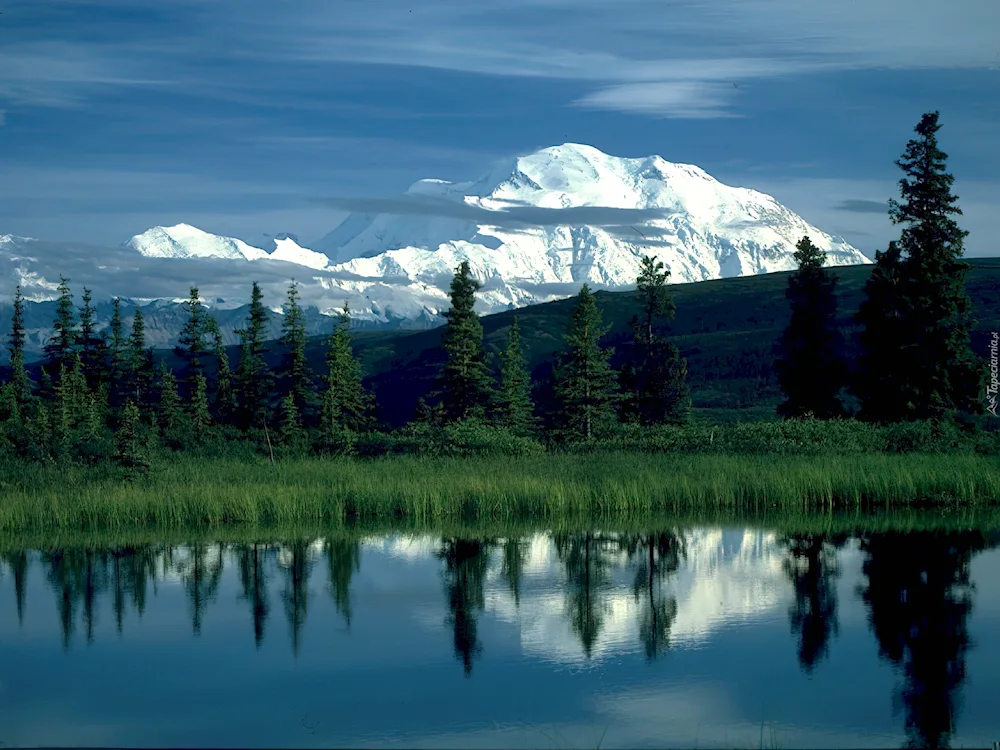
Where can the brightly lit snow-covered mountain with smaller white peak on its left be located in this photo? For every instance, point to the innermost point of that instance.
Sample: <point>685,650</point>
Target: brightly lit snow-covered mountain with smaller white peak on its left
<point>533,229</point>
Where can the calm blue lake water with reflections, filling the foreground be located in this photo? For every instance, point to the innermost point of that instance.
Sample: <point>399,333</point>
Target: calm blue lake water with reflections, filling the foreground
<point>701,636</point>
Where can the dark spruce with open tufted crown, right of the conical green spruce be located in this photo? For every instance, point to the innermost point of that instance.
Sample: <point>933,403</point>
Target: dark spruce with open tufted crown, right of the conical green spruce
<point>656,377</point>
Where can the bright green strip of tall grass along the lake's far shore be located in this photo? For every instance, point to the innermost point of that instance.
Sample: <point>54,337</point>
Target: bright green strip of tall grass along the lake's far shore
<point>185,493</point>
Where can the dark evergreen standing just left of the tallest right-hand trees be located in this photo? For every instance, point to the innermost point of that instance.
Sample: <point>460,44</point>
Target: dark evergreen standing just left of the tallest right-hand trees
<point>810,368</point>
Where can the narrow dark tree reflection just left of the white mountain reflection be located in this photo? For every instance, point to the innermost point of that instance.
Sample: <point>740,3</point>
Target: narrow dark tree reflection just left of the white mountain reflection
<point>466,561</point>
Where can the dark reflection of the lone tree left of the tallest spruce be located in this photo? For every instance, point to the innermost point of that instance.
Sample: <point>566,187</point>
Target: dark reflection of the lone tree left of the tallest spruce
<point>812,568</point>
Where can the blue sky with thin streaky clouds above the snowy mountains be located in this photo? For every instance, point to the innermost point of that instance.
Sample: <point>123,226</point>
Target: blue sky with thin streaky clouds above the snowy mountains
<point>239,116</point>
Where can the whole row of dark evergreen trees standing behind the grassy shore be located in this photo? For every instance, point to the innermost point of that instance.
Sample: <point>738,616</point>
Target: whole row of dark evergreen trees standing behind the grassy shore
<point>100,395</point>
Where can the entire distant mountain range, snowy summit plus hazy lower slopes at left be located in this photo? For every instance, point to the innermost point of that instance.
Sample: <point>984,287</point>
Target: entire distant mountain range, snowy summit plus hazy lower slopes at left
<point>533,229</point>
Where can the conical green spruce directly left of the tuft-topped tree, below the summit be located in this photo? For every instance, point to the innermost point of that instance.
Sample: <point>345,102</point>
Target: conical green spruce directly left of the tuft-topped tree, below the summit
<point>585,383</point>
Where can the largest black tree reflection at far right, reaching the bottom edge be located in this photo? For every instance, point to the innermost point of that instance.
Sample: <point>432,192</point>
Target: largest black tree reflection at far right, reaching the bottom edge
<point>919,598</point>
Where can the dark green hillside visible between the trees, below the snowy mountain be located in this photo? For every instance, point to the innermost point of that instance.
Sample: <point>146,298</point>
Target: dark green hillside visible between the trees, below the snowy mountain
<point>726,328</point>
